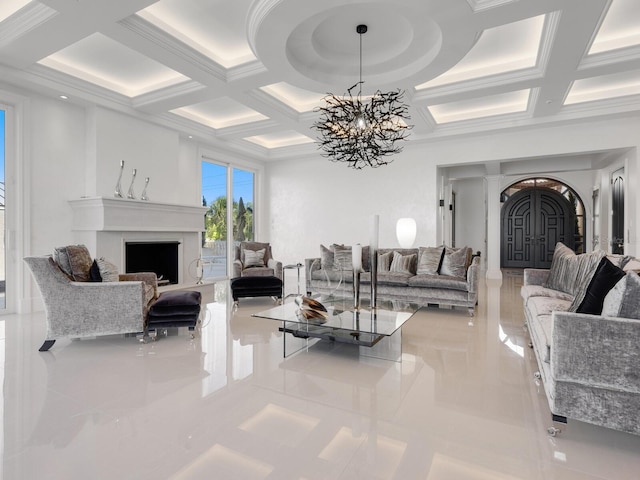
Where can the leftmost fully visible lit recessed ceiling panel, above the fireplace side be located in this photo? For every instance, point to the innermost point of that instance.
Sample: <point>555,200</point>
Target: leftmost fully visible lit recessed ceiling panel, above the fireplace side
<point>99,60</point>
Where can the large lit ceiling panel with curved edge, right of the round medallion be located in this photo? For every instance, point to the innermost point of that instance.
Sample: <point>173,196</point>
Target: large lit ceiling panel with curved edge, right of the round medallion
<point>501,49</point>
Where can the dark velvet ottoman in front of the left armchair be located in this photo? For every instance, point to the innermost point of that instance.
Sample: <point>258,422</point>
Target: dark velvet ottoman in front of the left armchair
<point>174,309</point>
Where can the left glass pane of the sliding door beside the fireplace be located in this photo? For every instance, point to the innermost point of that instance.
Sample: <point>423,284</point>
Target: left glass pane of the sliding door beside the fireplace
<point>214,243</point>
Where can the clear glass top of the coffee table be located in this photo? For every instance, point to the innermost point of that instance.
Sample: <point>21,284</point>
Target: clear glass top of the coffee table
<point>384,320</point>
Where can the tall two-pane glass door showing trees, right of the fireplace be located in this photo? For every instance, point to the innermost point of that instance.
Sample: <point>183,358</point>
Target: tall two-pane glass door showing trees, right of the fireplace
<point>229,194</point>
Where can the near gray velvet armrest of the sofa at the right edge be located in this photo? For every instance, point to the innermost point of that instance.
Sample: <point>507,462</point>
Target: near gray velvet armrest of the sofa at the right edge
<point>596,350</point>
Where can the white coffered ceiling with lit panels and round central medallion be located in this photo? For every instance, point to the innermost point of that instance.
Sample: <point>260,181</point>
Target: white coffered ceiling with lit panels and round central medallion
<point>246,75</point>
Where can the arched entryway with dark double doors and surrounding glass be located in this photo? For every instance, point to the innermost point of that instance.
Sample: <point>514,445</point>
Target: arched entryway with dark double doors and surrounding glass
<point>536,214</point>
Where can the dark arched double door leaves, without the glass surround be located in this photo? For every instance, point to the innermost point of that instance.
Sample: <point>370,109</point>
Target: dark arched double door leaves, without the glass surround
<point>533,221</point>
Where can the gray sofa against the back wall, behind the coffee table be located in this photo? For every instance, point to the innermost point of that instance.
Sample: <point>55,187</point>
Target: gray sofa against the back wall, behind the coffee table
<point>451,278</point>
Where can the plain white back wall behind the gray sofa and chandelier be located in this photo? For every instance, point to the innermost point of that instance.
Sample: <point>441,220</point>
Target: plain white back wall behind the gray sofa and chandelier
<point>317,201</point>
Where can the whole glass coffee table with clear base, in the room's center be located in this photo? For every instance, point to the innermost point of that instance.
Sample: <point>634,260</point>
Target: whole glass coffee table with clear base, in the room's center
<point>378,332</point>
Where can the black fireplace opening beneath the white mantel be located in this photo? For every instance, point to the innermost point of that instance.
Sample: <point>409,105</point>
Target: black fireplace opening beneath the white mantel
<point>158,257</point>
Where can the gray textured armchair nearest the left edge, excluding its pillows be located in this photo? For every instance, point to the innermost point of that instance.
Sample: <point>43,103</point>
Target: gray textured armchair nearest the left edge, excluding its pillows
<point>77,309</point>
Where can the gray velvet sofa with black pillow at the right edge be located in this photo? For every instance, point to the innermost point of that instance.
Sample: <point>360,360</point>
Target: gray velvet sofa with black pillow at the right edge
<point>589,363</point>
